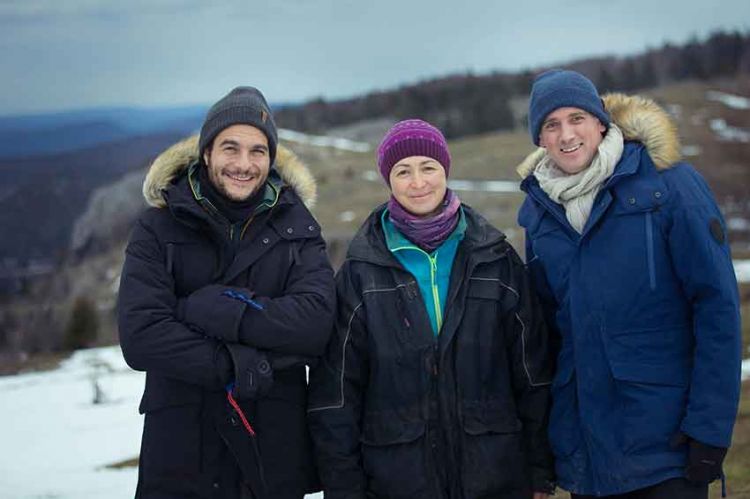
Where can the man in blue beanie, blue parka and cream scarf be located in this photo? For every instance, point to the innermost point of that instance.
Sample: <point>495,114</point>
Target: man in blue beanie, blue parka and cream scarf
<point>629,254</point>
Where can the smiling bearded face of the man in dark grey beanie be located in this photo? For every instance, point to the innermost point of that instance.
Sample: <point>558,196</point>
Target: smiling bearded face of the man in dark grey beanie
<point>238,161</point>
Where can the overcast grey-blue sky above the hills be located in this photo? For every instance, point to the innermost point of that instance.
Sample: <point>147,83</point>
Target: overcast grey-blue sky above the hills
<point>68,54</point>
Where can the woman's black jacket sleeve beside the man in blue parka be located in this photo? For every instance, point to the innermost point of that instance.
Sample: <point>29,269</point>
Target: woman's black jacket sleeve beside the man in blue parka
<point>532,357</point>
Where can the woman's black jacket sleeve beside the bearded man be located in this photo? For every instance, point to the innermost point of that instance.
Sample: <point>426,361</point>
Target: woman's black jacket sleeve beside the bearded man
<point>337,385</point>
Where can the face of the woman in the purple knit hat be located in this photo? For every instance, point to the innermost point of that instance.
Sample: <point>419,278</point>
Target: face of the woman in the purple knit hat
<point>418,183</point>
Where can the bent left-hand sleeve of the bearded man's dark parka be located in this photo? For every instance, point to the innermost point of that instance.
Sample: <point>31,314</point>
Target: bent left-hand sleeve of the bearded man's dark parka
<point>151,336</point>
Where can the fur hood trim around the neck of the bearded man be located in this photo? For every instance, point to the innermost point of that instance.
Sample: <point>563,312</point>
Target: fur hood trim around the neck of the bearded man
<point>169,164</point>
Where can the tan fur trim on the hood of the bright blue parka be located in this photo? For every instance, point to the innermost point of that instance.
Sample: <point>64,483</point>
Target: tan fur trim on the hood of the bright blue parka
<point>640,119</point>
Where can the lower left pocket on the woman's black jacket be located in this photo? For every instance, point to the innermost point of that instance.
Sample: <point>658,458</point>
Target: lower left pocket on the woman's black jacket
<point>394,456</point>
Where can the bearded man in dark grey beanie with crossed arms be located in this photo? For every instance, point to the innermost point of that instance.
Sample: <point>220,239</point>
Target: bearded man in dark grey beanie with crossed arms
<point>225,295</point>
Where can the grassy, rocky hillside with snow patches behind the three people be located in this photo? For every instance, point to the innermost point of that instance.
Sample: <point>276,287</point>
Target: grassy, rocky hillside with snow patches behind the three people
<point>349,187</point>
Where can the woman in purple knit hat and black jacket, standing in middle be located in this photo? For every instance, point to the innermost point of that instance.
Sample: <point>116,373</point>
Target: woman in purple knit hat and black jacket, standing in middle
<point>436,380</point>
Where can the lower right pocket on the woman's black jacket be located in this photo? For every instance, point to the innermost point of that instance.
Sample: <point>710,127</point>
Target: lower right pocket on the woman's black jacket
<point>492,457</point>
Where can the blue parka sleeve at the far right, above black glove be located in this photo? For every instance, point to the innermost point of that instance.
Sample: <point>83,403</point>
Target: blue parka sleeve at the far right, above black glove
<point>702,261</point>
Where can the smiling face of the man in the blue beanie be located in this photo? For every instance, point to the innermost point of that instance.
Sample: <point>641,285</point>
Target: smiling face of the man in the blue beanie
<point>571,137</point>
